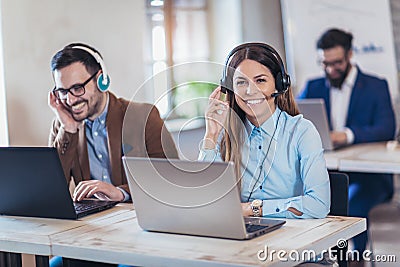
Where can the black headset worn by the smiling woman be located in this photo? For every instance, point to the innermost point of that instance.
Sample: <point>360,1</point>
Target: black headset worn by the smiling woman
<point>282,79</point>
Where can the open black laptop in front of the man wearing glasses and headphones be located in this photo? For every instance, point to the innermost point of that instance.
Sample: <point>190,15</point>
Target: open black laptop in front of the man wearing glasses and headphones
<point>32,183</point>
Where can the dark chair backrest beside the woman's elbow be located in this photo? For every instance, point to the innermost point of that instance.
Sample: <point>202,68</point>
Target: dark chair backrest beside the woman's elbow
<point>339,193</point>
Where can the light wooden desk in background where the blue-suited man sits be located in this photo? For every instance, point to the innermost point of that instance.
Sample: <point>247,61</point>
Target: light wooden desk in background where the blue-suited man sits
<point>368,157</point>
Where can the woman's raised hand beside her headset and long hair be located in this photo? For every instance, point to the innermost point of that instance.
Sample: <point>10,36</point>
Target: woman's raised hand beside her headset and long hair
<point>216,115</point>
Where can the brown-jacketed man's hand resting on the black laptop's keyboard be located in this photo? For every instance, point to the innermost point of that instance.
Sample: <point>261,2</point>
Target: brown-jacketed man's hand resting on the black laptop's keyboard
<point>99,189</point>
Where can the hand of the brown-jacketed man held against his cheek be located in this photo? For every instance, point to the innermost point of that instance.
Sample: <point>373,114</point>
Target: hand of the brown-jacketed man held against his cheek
<point>63,115</point>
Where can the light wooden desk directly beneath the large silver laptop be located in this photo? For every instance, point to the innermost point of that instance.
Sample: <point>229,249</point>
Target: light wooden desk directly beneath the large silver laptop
<point>119,239</point>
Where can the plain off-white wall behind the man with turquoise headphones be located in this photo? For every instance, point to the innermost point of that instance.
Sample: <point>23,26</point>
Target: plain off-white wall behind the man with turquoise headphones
<point>34,30</point>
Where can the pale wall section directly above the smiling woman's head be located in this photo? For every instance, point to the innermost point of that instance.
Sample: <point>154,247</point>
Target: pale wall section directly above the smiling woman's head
<point>235,21</point>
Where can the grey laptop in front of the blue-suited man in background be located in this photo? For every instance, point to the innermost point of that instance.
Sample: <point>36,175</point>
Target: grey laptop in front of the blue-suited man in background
<point>314,110</point>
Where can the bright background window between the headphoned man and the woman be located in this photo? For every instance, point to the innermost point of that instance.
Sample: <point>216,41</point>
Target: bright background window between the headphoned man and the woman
<point>179,35</point>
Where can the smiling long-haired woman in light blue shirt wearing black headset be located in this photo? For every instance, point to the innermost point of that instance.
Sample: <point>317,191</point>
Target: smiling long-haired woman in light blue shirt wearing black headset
<point>278,154</point>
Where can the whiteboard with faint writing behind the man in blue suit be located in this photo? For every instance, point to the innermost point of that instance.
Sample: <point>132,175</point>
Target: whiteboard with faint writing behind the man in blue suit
<point>368,20</point>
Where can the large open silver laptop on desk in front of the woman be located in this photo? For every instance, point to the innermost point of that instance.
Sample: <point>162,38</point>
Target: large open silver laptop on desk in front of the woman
<point>188,197</point>
